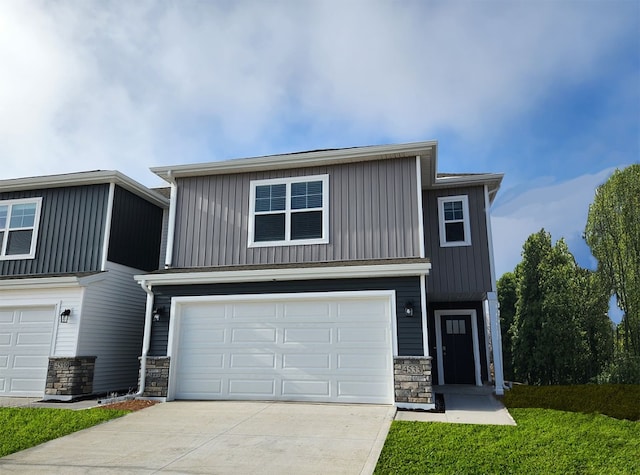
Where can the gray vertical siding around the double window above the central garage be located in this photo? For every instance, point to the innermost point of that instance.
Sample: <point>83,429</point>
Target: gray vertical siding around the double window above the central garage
<point>373,214</point>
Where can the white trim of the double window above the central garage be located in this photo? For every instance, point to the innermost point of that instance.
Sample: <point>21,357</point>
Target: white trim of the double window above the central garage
<point>287,211</point>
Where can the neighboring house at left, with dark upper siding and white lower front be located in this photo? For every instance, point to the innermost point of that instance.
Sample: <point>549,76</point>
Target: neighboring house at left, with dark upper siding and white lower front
<point>71,314</point>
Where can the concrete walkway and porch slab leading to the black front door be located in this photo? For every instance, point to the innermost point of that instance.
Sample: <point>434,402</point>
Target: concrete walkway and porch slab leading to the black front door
<point>464,405</point>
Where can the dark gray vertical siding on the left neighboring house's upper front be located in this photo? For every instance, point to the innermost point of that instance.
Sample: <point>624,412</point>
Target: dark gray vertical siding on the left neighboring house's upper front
<point>71,231</point>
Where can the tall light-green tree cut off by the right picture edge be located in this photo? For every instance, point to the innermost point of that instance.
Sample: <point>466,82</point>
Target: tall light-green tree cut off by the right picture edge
<point>613,234</point>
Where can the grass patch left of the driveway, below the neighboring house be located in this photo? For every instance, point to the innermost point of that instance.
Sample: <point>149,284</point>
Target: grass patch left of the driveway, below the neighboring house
<point>21,427</point>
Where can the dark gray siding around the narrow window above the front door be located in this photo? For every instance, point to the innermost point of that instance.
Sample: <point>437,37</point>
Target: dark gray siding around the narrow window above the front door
<point>459,269</point>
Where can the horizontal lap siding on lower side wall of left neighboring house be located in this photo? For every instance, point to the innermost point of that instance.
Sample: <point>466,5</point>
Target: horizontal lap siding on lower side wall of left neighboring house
<point>112,326</point>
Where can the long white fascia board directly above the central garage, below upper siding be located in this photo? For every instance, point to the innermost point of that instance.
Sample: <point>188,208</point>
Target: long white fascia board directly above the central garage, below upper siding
<point>303,273</point>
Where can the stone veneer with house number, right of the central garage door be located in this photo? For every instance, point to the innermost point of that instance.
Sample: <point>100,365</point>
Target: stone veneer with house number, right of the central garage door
<point>412,381</point>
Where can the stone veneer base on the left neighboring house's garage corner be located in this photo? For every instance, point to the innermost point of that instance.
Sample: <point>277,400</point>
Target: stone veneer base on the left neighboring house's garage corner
<point>70,378</point>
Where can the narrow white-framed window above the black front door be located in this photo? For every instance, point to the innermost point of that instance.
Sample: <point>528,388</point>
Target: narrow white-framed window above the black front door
<point>453,212</point>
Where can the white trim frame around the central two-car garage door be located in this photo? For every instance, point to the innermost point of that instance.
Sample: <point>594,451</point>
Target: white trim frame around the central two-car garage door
<point>176,315</point>
